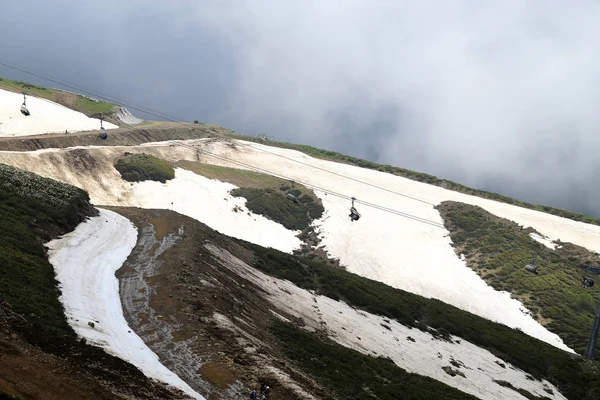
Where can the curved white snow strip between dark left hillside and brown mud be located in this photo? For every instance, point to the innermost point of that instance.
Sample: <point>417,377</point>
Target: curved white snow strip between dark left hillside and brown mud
<point>85,262</point>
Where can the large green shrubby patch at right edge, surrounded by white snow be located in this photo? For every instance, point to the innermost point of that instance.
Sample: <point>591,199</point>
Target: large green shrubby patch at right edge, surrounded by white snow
<point>498,250</point>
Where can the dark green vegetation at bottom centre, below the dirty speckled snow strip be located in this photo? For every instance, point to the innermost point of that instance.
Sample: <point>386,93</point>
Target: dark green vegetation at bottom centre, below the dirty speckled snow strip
<point>352,375</point>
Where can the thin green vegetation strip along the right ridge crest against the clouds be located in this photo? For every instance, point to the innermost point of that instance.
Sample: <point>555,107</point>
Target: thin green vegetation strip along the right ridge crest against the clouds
<point>421,177</point>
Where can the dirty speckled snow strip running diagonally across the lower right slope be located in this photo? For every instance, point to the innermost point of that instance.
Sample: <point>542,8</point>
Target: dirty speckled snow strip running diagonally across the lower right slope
<point>378,336</point>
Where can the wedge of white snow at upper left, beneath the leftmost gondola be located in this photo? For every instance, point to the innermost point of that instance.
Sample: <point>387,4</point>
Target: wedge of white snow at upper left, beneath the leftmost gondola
<point>46,117</point>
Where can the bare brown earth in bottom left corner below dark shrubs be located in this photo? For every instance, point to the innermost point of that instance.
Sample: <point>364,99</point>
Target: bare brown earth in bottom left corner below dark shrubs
<point>83,372</point>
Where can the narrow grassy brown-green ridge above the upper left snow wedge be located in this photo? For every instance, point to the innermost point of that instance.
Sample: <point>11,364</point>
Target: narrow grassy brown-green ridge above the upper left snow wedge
<point>74,101</point>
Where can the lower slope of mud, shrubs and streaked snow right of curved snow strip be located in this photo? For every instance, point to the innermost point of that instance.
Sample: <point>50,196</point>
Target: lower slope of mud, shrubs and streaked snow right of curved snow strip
<point>223,311</point>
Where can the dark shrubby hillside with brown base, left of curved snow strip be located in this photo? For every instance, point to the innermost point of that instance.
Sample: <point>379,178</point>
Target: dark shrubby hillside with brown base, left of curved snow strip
<point>40,356</point>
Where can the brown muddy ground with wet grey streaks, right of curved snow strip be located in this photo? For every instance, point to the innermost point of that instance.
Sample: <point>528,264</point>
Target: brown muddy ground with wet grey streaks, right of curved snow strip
<point>176,297</point>
